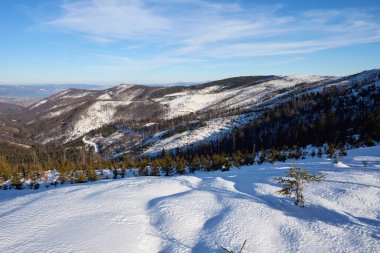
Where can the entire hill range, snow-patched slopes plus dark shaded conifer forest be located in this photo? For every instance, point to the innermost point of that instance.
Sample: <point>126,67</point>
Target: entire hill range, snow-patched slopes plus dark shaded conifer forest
<point>245,114</point>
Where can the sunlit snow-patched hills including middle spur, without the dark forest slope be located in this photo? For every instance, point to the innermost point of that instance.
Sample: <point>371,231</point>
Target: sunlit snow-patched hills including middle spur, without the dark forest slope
<point>147,120</point>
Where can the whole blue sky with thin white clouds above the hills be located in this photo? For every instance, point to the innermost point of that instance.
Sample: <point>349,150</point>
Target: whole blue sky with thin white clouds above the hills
<point>168,41</point>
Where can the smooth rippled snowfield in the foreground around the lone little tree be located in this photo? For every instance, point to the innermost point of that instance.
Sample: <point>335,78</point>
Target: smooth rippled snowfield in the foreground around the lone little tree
<point>202,212</point>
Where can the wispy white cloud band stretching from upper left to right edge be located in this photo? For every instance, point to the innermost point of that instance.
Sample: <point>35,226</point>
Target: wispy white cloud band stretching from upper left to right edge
<point>207,29</point>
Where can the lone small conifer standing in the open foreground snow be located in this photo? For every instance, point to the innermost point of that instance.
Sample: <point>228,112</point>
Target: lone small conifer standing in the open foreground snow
<point>294,181</point>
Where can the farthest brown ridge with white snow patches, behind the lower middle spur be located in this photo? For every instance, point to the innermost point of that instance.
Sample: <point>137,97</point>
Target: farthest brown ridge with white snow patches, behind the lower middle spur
<point>73,113</point>
